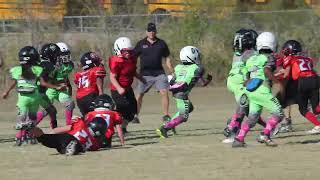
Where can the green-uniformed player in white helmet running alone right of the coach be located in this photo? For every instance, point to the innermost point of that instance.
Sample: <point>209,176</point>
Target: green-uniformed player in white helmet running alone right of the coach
<point>186,75</point>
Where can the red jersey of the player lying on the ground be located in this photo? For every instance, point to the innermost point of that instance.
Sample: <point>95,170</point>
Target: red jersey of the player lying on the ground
<point>81,132</point>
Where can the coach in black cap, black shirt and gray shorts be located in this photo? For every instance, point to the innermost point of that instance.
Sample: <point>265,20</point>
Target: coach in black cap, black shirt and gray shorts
<point>152,51</point>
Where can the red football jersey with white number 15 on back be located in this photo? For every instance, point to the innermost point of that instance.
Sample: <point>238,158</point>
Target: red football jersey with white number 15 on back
<point>86,81</point>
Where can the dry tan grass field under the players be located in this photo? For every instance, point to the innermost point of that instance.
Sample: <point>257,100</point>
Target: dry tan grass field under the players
<point>195,153</point>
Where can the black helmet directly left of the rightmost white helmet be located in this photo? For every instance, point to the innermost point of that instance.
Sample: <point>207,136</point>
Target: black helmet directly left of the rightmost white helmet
<point>244,39</point>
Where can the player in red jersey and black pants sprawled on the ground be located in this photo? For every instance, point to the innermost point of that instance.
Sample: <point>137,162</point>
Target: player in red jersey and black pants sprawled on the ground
<point>75,138</point>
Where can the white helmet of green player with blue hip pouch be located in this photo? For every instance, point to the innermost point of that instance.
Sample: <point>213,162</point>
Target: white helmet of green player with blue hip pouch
<point>266,40</point>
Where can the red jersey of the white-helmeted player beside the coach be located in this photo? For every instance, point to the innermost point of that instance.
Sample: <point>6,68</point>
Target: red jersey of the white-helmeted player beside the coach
<point>125,69</point>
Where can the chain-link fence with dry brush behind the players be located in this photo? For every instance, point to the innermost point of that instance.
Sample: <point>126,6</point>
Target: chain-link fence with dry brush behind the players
<point>212,35</point>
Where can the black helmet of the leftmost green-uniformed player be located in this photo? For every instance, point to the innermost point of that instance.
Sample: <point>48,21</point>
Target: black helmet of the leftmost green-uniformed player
<point>28,55</point>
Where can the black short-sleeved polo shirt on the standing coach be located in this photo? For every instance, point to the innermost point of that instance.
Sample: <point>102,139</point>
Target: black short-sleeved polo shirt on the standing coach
<point>151,56</point>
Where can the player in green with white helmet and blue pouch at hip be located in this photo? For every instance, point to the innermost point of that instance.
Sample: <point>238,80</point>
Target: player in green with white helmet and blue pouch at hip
<point>260,72</point>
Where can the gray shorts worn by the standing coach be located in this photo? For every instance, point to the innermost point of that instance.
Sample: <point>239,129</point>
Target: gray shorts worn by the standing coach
<point>160,82</point>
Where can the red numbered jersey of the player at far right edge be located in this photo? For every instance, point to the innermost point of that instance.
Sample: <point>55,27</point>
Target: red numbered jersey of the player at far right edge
<point>301,66</point>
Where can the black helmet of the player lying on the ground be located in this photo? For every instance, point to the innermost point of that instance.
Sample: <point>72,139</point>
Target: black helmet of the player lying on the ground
<point>98,127</point>
